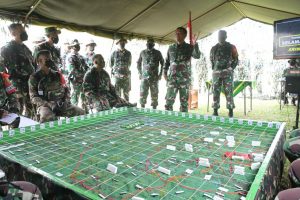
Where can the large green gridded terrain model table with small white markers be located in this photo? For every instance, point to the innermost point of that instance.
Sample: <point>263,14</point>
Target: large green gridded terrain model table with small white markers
<point>76,152</point>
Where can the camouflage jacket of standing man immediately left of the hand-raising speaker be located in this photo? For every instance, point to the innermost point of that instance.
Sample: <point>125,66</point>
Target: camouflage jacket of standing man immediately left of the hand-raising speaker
<point>150,60</point>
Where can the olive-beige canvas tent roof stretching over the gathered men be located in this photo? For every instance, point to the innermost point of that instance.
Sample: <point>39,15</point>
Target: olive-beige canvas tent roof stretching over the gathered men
<point>147,18</point>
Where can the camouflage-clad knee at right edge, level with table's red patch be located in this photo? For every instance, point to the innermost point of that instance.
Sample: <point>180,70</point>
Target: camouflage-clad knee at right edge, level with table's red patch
<point>291,148</point>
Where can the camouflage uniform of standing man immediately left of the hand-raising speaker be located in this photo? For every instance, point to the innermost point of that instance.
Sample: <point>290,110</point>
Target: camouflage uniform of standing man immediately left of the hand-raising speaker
<point>150,74</point>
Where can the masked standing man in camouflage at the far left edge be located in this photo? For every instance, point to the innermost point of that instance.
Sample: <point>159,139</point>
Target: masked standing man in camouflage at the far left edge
<point>19,63</point>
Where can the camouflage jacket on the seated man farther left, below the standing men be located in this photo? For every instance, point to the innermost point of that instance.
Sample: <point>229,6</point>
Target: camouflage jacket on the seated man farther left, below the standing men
<point>44,88</point>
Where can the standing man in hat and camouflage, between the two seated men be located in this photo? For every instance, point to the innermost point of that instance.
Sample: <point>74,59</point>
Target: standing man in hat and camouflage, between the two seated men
<point>77,67</point>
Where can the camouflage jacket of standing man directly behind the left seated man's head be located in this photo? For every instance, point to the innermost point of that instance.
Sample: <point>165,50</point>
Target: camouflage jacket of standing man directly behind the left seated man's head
<point>54,51</point>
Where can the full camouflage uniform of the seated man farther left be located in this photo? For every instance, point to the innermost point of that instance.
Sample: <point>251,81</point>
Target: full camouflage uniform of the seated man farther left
<point>51,97</point>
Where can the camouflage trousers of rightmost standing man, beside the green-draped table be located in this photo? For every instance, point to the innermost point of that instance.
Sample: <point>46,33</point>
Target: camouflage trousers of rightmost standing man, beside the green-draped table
<point>222,78</point>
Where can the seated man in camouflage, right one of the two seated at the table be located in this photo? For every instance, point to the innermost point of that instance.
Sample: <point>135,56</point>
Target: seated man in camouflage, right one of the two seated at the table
<point>98,89</point>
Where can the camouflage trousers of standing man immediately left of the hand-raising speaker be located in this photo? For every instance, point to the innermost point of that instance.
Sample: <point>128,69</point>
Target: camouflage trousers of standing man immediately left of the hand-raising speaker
<point>144,91</point>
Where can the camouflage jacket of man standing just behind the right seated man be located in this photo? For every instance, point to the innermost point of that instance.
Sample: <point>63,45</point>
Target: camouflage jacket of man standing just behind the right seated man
<point>120,62</point>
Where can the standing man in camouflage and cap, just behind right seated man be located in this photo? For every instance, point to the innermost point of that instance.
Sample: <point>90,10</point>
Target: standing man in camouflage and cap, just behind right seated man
<point>120,62</point>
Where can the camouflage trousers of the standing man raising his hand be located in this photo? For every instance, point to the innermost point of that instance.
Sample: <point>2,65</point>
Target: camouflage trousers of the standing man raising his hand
<point>183,94</point>
